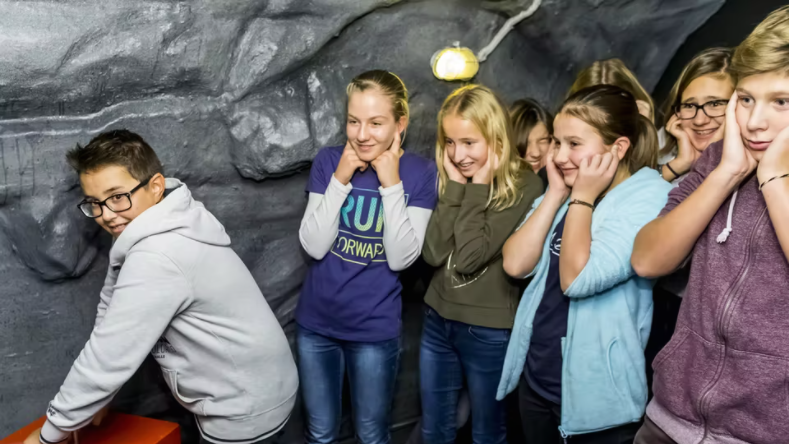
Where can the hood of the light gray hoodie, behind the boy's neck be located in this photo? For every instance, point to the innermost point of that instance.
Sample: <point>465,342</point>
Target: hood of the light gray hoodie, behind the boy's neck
<point>177,213</point>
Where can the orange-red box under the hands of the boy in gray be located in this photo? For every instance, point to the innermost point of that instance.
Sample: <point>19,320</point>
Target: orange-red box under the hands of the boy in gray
<point>116,428</point>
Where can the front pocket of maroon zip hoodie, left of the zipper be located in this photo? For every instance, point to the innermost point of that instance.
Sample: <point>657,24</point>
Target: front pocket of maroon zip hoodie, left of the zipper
<point>684,370</point>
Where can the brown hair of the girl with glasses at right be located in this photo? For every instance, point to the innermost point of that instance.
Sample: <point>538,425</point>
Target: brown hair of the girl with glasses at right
<point>713,61</point>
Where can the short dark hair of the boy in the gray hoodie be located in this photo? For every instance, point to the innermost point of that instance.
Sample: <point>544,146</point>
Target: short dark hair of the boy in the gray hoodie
<point>118,147</point>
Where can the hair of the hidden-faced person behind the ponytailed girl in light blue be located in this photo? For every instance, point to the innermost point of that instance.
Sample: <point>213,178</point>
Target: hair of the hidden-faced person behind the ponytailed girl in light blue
<point>612,72</point>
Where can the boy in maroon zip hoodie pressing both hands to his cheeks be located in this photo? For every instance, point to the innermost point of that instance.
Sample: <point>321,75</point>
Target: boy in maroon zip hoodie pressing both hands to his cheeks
<point>723,376</point>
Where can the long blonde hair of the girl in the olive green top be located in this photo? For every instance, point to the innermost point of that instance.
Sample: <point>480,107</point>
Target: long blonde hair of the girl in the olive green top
<point>485,110</point>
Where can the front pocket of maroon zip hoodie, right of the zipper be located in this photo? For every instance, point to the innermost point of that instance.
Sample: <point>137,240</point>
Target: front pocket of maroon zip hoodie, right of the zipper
<point>749,401</point>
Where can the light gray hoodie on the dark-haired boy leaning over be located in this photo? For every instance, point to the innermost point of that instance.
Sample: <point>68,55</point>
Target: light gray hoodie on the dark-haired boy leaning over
<point>177,290</point>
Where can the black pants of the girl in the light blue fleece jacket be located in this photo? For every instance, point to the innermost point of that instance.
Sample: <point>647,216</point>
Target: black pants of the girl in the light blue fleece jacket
<point>540,419</point>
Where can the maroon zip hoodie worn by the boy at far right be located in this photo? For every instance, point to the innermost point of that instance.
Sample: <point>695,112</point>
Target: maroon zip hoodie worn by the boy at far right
<point>723,376</point>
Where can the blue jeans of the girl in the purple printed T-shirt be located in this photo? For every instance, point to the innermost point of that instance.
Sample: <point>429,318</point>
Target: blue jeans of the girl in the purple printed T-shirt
<point>372,368</point>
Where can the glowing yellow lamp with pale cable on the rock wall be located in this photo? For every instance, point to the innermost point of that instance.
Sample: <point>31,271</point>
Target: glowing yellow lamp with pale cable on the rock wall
<point>457,63</point>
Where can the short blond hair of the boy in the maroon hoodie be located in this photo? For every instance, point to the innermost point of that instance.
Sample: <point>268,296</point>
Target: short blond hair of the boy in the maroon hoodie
<point>766,48</point>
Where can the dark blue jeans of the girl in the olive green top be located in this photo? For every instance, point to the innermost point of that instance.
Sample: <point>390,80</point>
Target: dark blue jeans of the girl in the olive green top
<point>449,353</point>
